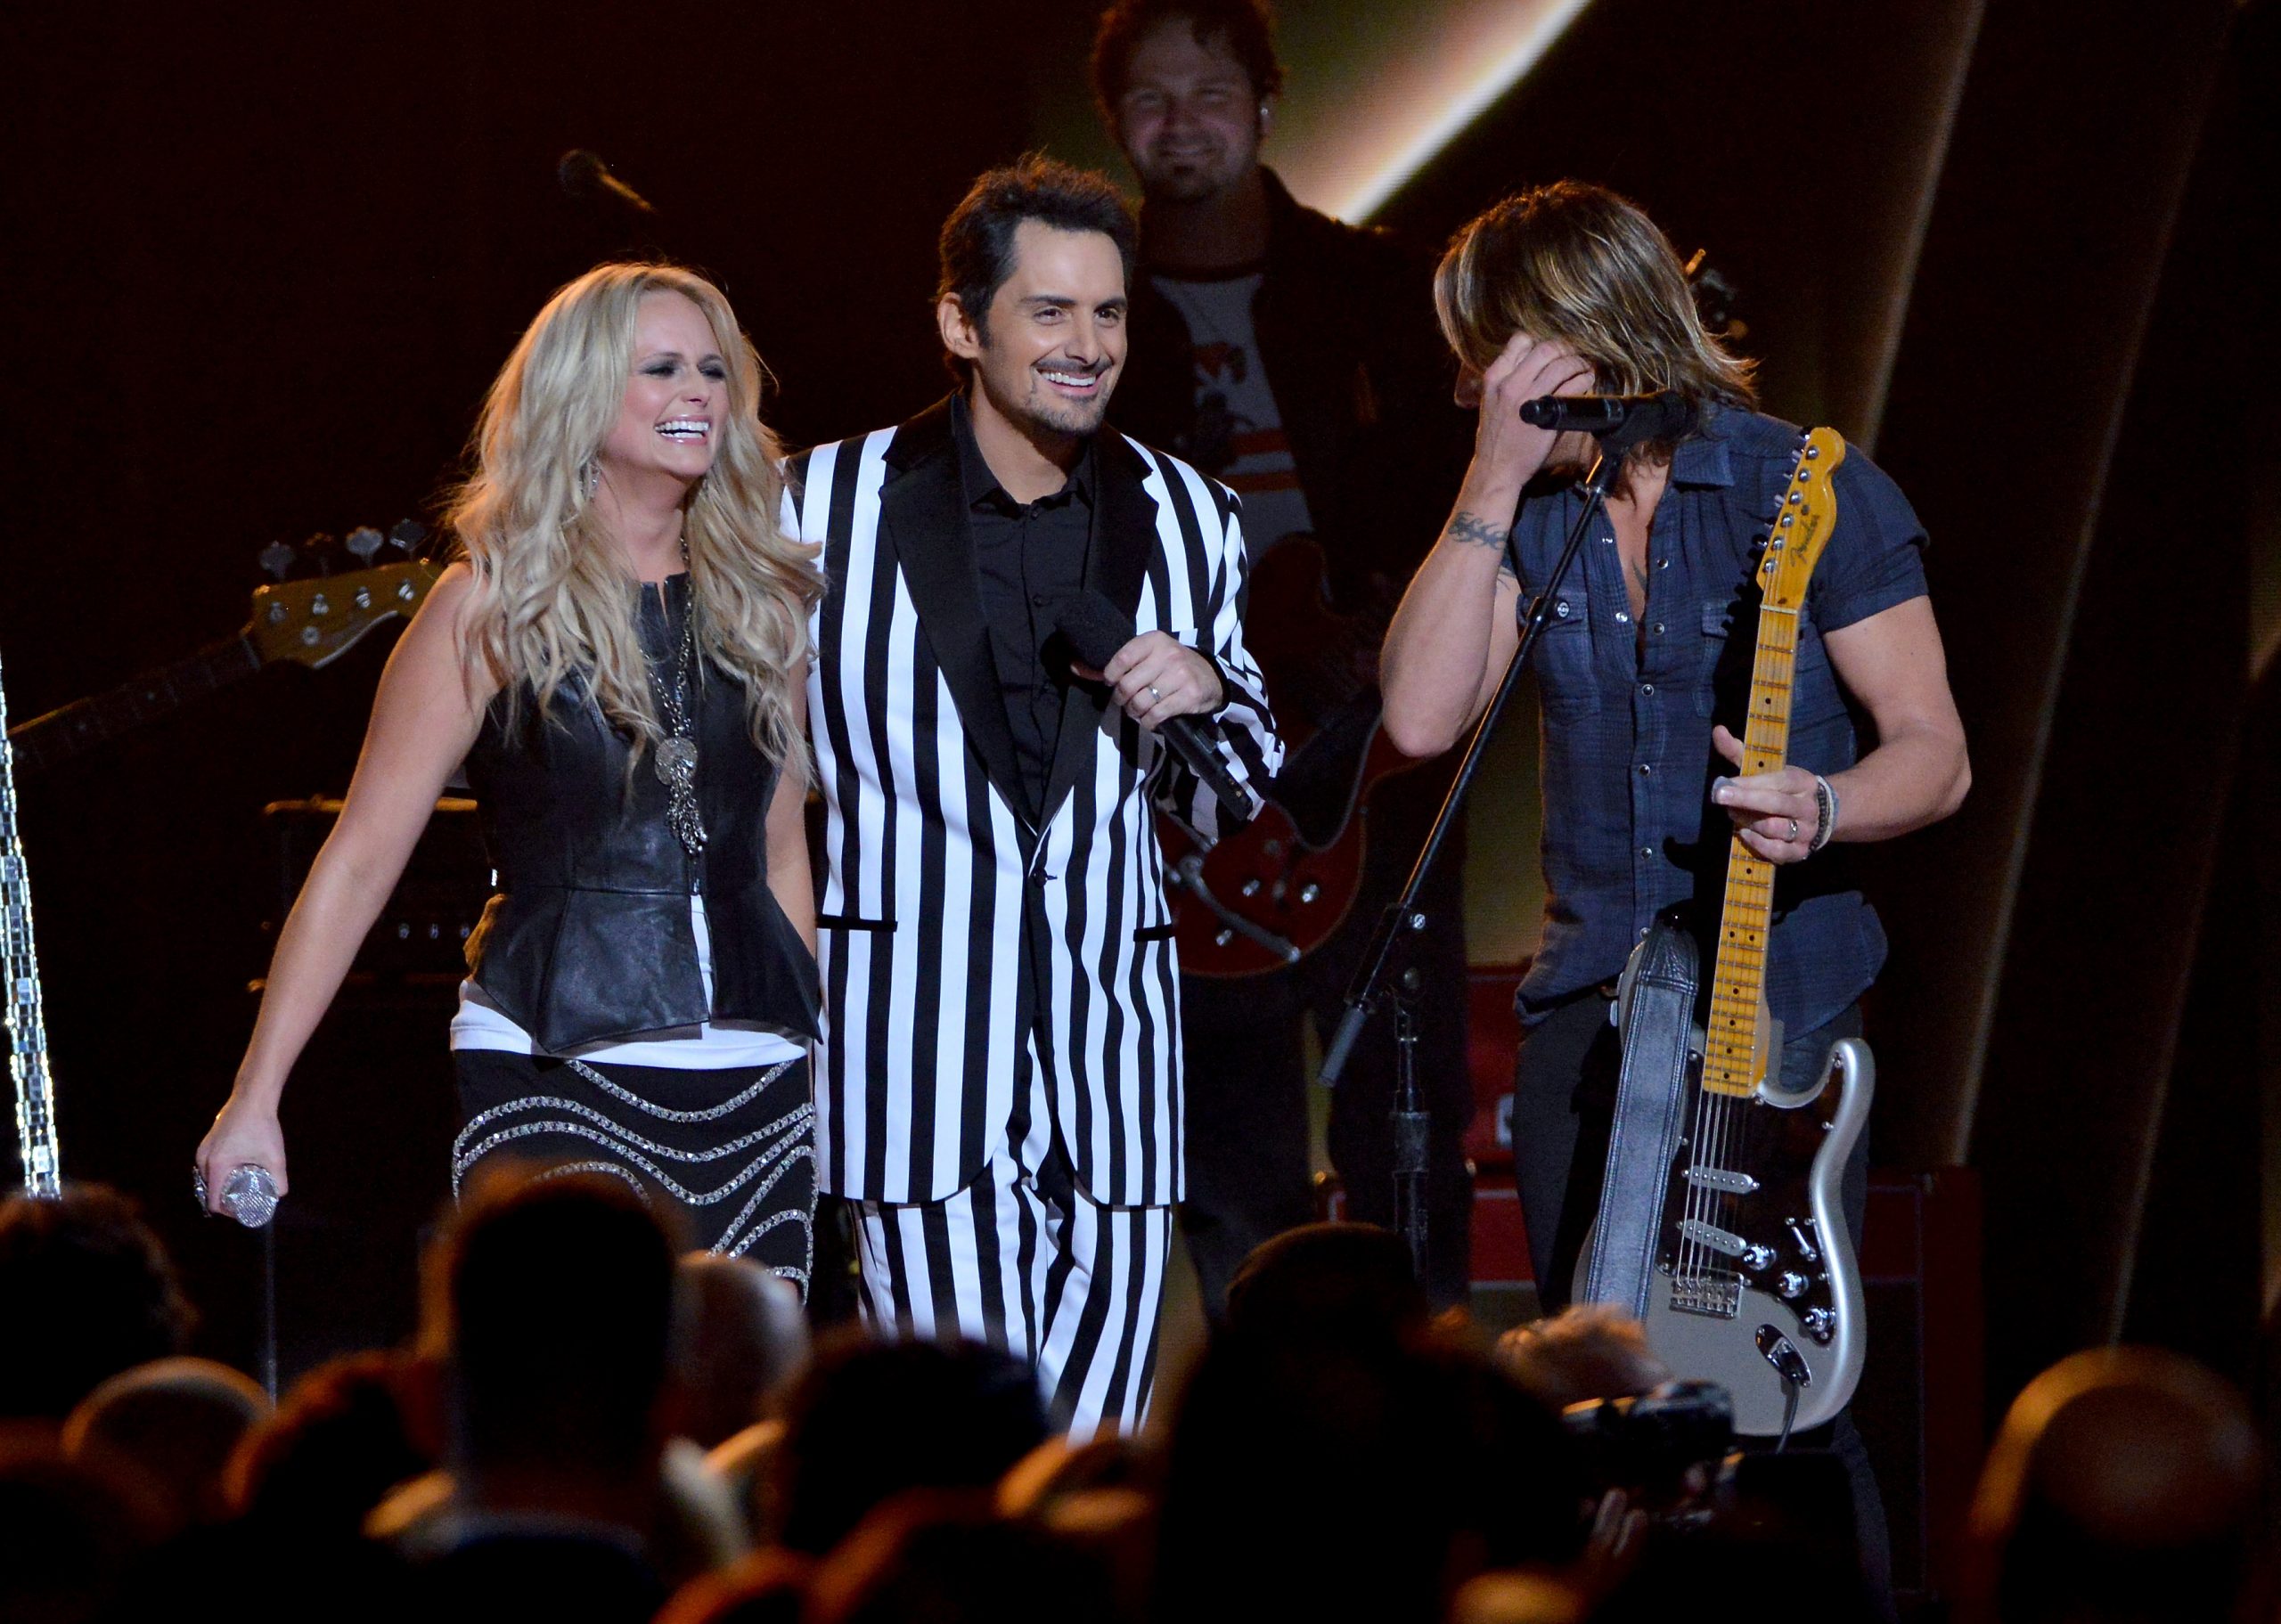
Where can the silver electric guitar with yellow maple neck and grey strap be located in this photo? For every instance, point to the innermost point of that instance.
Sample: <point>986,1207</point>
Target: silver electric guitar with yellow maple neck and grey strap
<point>1721,1219</point>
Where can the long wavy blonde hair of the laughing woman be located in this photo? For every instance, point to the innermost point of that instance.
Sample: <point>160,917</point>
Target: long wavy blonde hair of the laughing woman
<point>551,592</point>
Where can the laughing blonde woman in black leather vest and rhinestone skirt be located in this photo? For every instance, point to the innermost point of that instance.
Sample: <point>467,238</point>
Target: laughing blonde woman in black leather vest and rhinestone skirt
<point>619,660</point>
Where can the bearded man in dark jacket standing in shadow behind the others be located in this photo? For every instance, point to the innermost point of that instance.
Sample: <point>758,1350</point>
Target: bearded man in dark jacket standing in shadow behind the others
<point>1297,359</point>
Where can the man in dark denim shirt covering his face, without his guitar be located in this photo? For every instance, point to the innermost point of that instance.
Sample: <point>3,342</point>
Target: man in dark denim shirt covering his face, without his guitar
<point>1568,291</point>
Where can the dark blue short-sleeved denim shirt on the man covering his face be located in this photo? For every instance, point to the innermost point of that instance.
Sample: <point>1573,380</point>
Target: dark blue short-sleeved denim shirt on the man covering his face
<point>1627,713</point>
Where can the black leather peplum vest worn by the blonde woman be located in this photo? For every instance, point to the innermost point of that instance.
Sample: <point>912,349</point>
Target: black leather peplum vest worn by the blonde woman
<point>590,934</point>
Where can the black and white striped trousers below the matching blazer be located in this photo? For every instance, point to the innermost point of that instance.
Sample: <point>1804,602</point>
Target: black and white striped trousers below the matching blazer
<point>1028,1262</point>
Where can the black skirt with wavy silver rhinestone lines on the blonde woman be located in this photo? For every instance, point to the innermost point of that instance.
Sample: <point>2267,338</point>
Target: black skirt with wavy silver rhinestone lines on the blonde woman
<point>726,1155</point>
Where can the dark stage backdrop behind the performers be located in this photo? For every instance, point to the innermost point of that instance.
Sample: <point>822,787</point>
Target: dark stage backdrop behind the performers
<point>266,261</point>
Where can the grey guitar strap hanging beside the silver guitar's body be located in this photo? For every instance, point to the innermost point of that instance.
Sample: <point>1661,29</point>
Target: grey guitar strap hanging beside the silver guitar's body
<point>1643,1139</point>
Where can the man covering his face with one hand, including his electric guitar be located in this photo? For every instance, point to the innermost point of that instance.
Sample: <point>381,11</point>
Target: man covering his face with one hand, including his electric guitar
<point>1650,697</point>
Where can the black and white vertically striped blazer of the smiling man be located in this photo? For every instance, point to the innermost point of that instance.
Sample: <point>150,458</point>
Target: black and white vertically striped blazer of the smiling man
<point>939,886</point>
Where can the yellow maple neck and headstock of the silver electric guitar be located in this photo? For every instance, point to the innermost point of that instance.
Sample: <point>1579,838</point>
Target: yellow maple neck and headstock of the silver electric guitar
<point>1737,1032</point>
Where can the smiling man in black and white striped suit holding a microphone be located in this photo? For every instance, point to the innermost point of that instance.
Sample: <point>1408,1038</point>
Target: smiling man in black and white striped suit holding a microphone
<point>998,1085</point>
